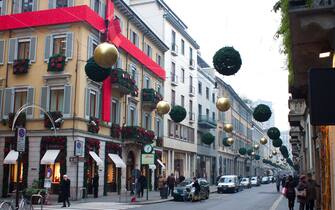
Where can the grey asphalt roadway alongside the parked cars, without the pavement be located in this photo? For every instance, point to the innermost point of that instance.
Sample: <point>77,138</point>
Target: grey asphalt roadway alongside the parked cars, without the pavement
<point>264,197</point>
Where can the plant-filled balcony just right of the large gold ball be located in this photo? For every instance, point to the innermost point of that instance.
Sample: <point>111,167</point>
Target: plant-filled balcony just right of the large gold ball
<point>122,82</point>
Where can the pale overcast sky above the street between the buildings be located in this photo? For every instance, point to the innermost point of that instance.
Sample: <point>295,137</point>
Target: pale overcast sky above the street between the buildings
<point>248,26</point>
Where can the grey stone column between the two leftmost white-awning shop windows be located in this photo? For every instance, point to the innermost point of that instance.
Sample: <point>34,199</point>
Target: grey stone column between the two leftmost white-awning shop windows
<point>34,159</point>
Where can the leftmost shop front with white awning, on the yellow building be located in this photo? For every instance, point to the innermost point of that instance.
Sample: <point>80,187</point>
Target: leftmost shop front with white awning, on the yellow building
<point>10,167</point>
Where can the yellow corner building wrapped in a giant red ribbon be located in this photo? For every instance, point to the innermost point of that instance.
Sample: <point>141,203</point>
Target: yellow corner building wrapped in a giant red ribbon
<point>31,33</point>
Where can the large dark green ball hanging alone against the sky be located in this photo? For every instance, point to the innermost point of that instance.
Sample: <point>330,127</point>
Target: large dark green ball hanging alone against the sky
<point>227,61</point>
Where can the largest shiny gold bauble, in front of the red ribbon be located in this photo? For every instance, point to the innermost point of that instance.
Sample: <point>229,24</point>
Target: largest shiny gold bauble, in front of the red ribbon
<point>105,55</point>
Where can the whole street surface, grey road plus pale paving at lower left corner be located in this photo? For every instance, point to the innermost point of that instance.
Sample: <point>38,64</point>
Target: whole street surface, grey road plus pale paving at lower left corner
<point>256,198</point>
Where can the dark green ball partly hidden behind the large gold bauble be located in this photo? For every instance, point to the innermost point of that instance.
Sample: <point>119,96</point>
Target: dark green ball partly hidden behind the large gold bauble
<point>95,72</point>
